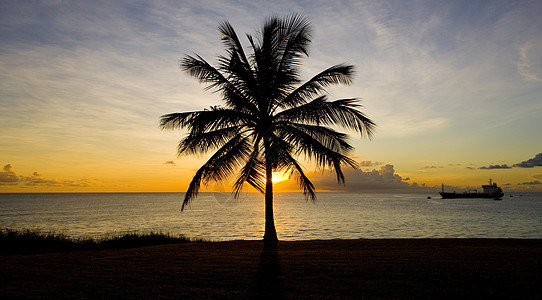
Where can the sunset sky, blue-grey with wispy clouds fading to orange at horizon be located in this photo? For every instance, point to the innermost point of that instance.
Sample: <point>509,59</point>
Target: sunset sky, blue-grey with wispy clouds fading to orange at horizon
<point>455,88</point>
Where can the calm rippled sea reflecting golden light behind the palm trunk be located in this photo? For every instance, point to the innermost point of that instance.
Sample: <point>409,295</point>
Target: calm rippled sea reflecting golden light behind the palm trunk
<point>217,216</point>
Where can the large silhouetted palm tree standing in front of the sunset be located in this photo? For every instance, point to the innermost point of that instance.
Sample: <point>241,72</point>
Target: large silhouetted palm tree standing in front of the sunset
<point>269,118</point>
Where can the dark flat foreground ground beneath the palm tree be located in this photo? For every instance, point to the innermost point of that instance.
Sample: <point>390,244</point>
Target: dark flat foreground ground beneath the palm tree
<point>412,268</point>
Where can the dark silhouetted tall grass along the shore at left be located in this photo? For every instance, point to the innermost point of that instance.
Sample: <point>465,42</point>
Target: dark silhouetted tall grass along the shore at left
<point>35,241</point>
